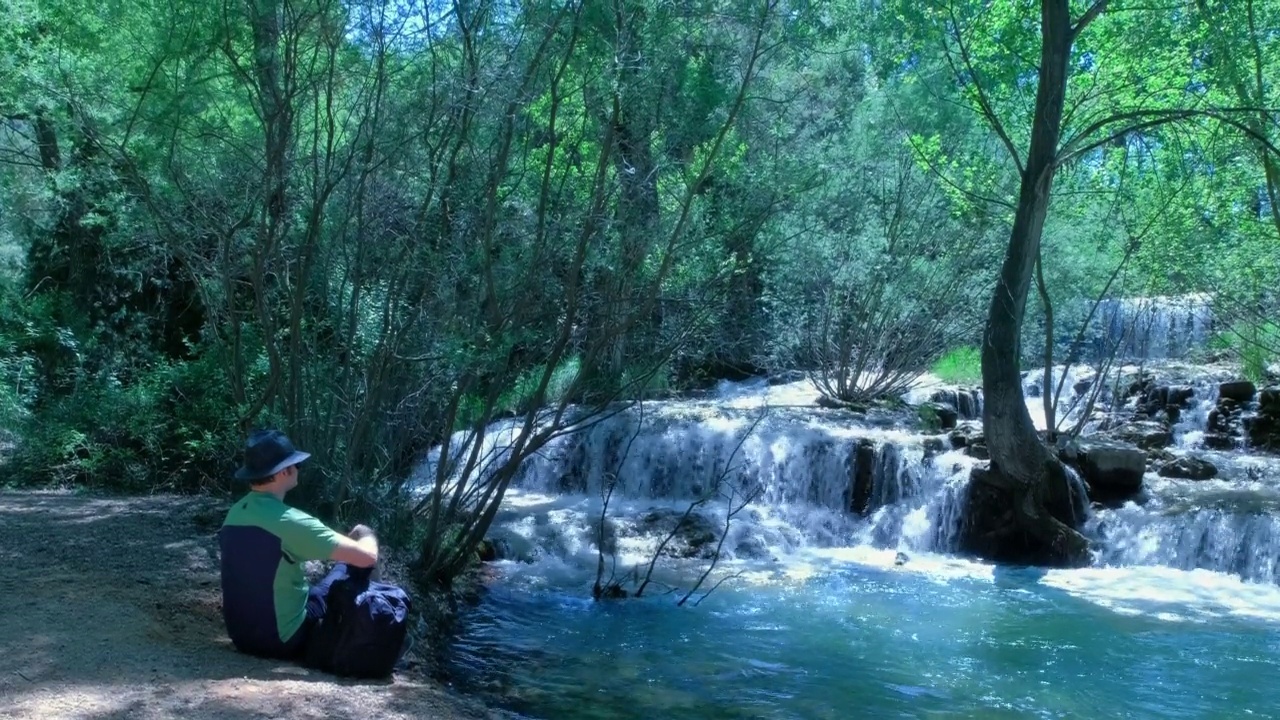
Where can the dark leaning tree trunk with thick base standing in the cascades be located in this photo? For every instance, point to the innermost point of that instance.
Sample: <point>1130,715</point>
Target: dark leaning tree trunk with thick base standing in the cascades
<point>1026,479</point>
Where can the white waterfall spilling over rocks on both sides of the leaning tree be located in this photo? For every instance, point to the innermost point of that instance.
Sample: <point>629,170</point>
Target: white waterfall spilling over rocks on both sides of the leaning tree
<point>819,480</point>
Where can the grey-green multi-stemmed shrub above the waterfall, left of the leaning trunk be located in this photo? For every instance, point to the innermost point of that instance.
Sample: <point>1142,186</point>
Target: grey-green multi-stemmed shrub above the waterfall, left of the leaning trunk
<point>886,268</point>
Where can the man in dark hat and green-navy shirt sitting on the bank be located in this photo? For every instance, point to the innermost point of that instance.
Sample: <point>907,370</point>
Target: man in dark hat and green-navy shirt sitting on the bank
<point>268,608</point>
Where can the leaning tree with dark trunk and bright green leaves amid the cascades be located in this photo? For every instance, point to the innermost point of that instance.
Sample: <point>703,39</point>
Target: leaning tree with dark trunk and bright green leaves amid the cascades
<point>1021,507</point>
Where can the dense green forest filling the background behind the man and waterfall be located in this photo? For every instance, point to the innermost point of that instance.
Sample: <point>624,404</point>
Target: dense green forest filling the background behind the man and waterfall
<point>378,225</point>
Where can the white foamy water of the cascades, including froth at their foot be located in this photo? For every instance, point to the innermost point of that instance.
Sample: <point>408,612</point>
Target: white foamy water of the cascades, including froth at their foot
<point>831,489</point>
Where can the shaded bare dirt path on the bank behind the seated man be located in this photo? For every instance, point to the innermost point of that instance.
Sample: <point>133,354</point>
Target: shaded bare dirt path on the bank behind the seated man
<point>109,609</point>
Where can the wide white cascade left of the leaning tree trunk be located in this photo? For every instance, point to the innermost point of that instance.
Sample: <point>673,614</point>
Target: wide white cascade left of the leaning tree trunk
<point>815,480</point>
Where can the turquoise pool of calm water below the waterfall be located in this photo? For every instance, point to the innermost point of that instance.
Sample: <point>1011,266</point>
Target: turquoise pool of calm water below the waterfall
<point>867,640</point>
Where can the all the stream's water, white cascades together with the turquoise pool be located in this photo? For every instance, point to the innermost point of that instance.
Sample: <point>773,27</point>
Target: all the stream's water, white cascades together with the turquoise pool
<point>825,610</point>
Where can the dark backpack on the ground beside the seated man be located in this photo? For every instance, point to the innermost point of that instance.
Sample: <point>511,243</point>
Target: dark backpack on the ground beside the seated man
<point>364,630</point>
